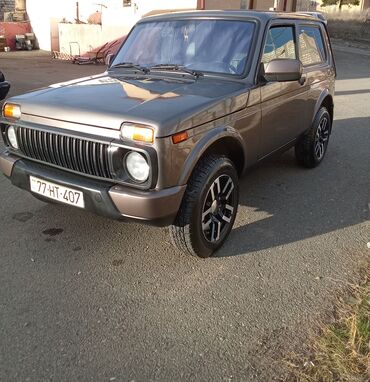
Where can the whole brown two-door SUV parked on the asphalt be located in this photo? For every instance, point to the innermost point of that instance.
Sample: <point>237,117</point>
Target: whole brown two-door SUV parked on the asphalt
<point>186,105</point>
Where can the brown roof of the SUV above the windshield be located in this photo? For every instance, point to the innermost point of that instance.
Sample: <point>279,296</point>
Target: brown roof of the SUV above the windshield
<point>237,14</point>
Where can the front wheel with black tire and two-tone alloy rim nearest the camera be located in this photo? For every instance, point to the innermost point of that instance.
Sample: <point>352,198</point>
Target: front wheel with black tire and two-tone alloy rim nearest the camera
<point>197,211</point>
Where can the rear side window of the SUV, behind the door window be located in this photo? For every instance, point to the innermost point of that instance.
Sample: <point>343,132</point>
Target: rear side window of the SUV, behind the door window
<point>311,45</point>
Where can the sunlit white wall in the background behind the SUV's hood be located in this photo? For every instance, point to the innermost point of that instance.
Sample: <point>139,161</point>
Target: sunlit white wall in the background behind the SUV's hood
<point>116,19</point>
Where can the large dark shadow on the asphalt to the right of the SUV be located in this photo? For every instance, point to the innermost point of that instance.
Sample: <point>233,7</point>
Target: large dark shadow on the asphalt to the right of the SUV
<point>296,204</point>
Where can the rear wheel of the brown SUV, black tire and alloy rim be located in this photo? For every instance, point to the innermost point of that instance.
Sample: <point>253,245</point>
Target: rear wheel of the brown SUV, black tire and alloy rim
<point>311,148</point>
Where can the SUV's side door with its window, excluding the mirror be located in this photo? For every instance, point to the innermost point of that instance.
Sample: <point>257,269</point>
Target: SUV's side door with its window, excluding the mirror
<point>283,104</point>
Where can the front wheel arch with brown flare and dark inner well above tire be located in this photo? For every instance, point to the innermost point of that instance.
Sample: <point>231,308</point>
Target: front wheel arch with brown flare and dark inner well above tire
<point>223,141</point>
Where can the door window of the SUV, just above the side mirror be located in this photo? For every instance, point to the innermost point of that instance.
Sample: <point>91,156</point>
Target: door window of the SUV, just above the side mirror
<point>279,44</point>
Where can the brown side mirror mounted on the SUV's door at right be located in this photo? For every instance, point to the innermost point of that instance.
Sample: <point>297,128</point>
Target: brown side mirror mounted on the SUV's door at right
<point>281,70</point>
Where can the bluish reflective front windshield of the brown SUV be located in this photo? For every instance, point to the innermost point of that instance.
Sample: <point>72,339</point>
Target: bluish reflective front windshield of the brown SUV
<point>218,46</point>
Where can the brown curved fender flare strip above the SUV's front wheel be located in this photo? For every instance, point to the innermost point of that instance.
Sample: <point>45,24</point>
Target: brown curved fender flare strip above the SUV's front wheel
<point>208,139</point>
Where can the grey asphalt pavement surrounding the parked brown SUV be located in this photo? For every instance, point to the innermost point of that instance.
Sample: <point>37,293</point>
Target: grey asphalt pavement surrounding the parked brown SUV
<point>83,298</point>
